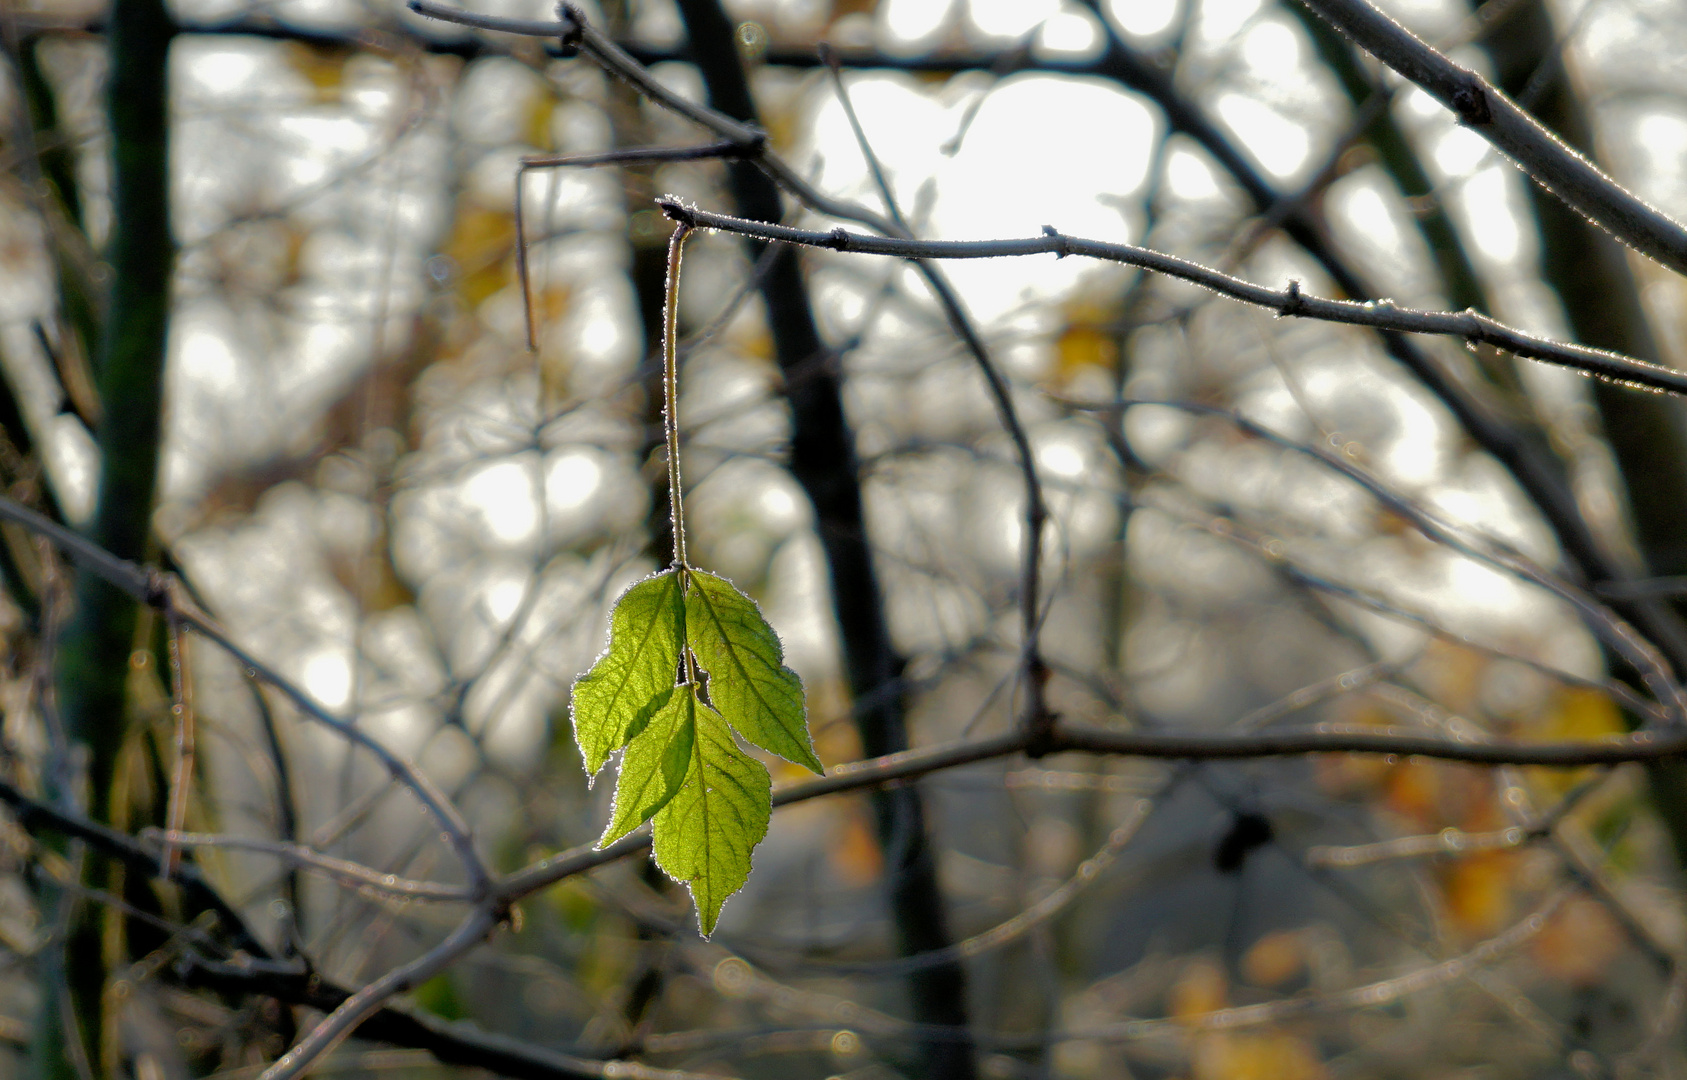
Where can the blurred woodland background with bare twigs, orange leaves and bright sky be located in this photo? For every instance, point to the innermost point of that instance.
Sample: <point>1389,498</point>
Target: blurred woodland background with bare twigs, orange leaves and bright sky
<point>375,487</point>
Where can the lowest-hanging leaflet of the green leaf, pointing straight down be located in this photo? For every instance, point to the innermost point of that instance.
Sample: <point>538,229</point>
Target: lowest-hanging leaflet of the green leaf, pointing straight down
<point>708,831</point>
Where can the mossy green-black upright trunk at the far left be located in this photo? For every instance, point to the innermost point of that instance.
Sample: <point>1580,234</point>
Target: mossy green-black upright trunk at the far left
<point>94,656</point>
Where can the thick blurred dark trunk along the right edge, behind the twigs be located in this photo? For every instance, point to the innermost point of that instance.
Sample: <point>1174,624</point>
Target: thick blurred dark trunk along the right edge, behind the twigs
<point>1590,273</point>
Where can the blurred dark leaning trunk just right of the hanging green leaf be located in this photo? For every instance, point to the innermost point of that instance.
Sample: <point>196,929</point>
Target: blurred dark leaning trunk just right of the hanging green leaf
<point>824,463</point>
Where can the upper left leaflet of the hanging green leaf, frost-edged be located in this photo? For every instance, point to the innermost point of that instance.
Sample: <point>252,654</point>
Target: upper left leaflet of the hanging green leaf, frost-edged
<point>627,686</point>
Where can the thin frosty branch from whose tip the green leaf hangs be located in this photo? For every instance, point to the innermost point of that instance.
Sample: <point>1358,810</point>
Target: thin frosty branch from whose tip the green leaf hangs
<point>1377,315</point>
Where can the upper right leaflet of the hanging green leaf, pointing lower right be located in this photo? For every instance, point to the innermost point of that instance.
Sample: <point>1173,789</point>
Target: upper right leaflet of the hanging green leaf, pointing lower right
<point>748,681</point>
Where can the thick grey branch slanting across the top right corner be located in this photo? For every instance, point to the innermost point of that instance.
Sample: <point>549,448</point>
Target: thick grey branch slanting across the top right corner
<point>1502,122</point>
